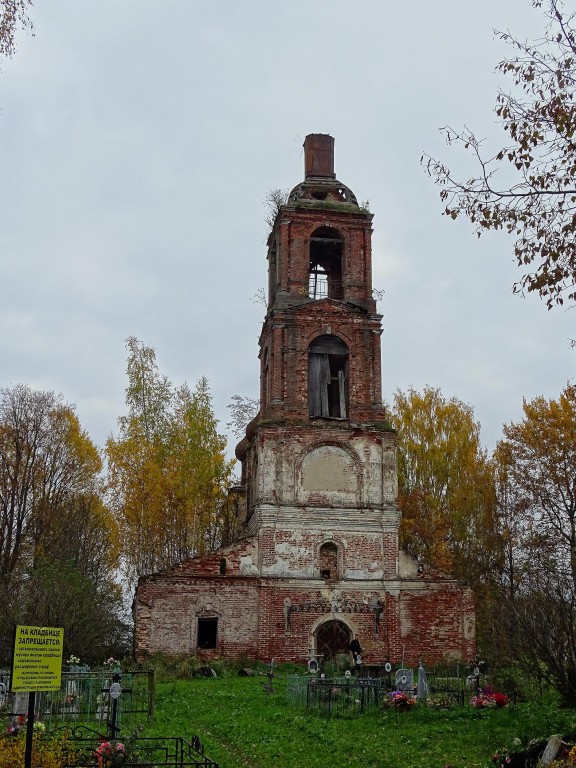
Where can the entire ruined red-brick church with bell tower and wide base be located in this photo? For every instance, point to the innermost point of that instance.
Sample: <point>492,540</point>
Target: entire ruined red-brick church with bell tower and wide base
<point>317,558</point>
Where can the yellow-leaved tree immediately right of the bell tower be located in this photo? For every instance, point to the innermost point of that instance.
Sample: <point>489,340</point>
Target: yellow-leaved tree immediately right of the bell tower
<point>446,489</point>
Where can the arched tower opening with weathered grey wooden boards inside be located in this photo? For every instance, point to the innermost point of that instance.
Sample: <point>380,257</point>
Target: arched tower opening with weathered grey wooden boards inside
<point>327,378</point>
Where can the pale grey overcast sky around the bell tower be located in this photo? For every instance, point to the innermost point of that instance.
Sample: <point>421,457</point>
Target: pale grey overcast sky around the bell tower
<point>138,141</point>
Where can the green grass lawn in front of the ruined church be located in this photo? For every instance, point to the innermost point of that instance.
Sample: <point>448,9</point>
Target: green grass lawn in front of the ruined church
<point>242,726</point>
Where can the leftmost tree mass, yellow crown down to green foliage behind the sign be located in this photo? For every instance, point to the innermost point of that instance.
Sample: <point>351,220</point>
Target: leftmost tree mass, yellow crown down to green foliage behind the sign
<point>58,541</point>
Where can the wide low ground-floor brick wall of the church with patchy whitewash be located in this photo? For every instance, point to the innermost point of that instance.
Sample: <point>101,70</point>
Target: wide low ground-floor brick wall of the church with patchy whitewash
<point>429,620</point>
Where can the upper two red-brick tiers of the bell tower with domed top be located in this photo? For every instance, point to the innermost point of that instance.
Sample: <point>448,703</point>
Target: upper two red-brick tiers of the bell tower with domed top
<point>320,344</point>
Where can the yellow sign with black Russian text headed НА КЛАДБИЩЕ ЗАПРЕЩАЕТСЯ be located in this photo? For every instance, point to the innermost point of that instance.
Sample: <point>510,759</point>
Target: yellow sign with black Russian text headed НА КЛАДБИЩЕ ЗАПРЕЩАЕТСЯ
<point>37,658</point>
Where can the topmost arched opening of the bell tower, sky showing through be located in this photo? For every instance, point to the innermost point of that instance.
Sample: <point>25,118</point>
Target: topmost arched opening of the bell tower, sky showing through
<point>325,275</point>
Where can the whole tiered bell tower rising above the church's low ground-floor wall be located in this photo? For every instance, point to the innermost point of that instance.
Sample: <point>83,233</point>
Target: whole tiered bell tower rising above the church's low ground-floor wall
<point>319,460</point>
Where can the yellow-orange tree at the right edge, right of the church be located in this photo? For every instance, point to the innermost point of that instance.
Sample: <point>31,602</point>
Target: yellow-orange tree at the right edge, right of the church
<point>537,498</point>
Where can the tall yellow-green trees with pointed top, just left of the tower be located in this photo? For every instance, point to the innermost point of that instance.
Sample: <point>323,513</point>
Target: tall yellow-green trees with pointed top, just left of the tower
<point>168,474</point>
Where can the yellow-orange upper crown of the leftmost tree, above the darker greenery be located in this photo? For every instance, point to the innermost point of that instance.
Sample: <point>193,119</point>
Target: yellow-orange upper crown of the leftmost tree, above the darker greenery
<point>49,480</point>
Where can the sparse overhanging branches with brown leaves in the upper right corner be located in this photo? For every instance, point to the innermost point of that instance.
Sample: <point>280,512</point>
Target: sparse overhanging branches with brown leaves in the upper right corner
<point>528,186</point>
